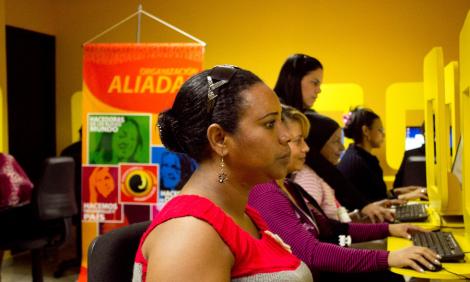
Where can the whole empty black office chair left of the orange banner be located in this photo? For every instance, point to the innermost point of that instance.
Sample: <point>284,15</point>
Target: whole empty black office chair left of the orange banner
<point>46,222</point>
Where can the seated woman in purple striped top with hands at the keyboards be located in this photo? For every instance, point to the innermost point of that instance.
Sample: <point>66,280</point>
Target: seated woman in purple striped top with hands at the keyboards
<point>314,238</point>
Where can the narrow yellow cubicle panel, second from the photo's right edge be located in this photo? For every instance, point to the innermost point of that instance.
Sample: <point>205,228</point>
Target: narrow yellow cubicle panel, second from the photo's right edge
<point>451,91</point>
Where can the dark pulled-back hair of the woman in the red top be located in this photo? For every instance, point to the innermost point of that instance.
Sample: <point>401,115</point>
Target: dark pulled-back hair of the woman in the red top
<point>183,128</point>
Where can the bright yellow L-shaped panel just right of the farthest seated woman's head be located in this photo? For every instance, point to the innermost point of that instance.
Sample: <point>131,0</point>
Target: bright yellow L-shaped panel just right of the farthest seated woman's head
<point>399,98</point>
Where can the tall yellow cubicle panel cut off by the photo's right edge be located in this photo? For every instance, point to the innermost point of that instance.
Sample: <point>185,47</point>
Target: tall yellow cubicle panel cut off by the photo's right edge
<point>465,119</point>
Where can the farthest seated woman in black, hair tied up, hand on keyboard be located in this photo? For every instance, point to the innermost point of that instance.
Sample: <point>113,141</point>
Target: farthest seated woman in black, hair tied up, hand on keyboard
<point>361,167</point>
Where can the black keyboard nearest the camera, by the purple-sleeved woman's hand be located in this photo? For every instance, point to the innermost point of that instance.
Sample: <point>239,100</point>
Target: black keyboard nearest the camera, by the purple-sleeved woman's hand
<point>442,243</point>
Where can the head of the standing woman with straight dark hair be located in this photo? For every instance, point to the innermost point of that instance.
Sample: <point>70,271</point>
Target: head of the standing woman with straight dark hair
<point>299,81</point>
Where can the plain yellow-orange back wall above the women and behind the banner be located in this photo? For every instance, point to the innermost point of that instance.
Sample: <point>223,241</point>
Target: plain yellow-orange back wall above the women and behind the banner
<point>368,42</point>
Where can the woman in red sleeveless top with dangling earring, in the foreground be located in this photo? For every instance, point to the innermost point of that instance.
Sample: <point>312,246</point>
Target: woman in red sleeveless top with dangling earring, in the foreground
<point>229,121</point>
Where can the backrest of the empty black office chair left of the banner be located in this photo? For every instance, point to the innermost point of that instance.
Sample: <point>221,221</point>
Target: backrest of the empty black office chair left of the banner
<point>55,195</point>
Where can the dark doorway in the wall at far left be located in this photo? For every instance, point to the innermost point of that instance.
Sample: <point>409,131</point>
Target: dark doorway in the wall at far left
<point>31,97</point>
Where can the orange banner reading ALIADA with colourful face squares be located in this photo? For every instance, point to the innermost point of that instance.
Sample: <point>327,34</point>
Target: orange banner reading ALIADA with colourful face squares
<point>127,174</point>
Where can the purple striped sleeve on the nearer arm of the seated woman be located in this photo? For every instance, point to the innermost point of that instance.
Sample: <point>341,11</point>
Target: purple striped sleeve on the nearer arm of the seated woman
<point>282,219</point>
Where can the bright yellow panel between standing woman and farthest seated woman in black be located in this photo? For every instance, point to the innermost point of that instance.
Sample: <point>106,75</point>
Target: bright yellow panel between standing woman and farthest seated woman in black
<point>337,99</point>
